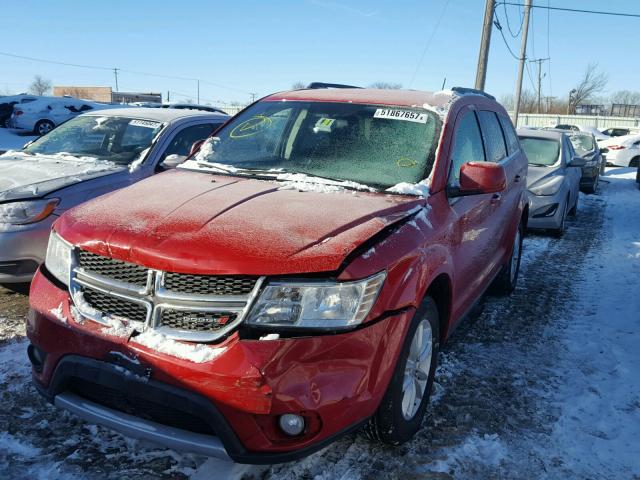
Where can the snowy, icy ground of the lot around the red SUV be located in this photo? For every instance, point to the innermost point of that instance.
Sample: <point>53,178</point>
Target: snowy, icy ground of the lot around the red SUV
<point>541,384</point>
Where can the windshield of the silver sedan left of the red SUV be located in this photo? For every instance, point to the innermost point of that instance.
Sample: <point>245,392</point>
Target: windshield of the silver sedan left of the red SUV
<point>118,139</point>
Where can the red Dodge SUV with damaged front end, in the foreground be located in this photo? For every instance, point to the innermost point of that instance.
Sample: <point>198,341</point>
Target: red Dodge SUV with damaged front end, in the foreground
<point>292,281</point>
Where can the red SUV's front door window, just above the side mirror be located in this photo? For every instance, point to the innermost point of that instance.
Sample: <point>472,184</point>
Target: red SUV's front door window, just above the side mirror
<point>467,146</point>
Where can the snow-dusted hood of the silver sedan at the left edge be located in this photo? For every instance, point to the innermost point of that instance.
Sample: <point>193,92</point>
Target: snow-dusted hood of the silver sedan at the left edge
<point>25,176</point>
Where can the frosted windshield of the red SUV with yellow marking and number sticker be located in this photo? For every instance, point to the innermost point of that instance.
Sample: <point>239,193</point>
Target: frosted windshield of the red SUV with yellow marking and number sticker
<point>367,144</point>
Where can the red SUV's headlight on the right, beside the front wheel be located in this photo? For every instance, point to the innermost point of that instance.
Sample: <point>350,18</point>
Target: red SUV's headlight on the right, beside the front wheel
<point>326,305</point>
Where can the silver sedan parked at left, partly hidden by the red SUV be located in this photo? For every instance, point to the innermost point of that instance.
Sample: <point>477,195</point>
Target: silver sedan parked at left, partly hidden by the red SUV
<point>87,156</point>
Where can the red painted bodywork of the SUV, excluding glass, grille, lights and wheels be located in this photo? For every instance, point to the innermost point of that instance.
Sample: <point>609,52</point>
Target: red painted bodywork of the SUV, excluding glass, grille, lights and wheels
<point>192,222</point>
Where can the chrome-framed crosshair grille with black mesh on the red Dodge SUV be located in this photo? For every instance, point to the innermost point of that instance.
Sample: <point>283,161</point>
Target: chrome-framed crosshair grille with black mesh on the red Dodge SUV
<point>97,295</point>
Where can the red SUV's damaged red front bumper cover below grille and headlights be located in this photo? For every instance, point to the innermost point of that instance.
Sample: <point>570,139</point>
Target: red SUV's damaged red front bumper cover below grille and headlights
<point>333,381</point>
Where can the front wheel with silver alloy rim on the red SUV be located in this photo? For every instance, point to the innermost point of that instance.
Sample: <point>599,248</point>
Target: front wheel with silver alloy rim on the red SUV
<point>398,418</point>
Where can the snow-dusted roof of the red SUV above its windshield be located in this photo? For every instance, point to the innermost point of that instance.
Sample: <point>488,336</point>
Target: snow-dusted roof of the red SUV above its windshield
<point>398,97</point>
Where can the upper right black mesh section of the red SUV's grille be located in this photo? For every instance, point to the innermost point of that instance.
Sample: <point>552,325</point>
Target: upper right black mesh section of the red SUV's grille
<point>208,284</point>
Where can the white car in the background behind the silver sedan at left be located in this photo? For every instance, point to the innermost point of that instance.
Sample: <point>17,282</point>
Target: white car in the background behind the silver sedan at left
<point>42,115</point>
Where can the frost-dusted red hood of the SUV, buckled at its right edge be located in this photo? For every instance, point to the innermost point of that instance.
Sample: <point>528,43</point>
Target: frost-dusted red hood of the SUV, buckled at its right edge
<point>192,222</point>
